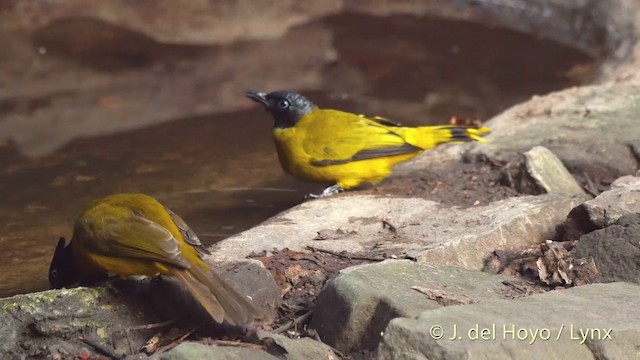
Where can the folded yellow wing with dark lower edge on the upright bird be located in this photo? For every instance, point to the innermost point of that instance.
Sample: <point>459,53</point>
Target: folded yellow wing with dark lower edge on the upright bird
<point>339,138</point>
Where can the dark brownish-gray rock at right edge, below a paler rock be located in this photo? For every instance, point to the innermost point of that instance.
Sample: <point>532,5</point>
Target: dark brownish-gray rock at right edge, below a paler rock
<point>615,250</point>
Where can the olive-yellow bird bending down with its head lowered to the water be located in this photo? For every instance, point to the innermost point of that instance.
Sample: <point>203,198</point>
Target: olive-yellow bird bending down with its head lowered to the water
<point>133,234</point>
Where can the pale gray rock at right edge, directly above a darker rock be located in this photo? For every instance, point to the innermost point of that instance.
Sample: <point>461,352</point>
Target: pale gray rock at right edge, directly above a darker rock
<point>622,198</point>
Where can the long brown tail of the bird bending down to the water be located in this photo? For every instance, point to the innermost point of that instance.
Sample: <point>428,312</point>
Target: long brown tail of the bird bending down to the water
<point>216,296</point>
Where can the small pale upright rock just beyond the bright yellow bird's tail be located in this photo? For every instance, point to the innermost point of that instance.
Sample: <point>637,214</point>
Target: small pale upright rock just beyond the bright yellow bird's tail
<point>539,171</point>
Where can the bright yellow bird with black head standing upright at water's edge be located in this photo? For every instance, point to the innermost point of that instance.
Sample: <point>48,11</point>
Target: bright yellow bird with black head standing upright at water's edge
<point>332,146</point>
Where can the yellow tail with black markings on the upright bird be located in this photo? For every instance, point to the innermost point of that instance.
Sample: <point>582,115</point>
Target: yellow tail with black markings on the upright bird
<point>426,137</point>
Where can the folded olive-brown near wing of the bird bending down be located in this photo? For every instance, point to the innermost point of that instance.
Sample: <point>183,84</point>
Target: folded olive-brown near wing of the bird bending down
<point>127,234</point>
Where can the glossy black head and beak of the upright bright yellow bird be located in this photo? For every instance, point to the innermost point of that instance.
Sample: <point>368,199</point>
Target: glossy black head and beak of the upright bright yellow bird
<point>286,107</point>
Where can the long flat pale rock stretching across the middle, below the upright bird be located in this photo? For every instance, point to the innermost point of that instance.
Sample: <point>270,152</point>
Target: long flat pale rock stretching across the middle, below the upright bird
<point>422,229</point>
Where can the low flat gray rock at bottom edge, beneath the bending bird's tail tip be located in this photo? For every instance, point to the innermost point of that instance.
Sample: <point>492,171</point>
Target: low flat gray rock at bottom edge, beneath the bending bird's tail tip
<point>193,351</point>
